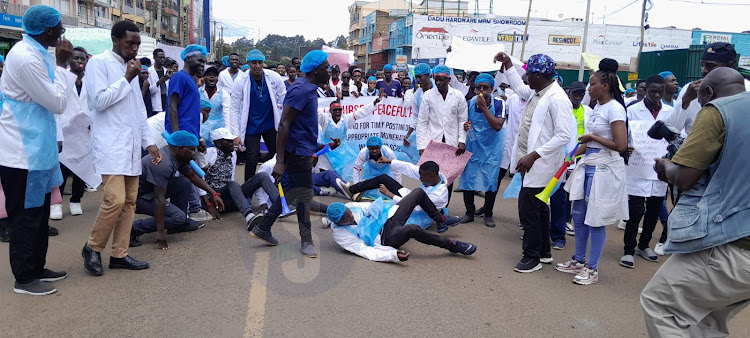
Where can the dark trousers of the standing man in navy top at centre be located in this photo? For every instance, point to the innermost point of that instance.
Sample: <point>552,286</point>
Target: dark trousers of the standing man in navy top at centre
<point>299,177</point>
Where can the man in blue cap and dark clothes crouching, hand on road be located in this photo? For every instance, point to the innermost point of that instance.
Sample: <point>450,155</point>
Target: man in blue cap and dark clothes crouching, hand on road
<point>158,182</point>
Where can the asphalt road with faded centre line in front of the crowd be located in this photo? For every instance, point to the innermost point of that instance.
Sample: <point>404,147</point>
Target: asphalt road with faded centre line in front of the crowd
<point>220,282</point>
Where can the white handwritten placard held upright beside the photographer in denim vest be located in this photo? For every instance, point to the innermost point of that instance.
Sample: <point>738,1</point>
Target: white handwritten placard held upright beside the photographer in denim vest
<point>645,149</point>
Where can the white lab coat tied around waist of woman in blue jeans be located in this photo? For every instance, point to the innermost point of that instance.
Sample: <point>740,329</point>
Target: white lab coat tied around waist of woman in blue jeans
<point>608,198</point>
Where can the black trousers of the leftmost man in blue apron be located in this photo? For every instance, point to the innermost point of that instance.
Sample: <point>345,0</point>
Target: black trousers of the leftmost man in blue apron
<point>27,227</point>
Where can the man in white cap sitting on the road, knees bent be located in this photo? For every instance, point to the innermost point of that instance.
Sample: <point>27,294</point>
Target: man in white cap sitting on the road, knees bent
<point>222,160</point>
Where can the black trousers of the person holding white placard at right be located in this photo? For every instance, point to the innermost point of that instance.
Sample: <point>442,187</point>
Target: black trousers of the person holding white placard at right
<point>647,208</point>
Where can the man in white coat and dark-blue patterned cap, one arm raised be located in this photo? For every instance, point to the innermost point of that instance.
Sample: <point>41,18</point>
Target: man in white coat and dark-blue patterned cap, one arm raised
<point>547,127</point>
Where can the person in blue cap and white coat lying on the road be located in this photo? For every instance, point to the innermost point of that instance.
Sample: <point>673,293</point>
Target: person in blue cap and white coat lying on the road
<point>376,230</point>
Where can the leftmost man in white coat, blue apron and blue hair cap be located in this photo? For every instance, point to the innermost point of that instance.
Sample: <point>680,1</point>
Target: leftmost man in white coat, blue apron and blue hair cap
<point>29,166</point>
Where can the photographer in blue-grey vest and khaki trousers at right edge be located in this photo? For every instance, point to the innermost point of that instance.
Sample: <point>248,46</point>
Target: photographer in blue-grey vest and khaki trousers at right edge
<point>705,282</point>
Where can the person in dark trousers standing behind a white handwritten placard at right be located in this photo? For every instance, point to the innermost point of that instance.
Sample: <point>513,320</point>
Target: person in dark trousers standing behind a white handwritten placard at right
<point>646,196</point>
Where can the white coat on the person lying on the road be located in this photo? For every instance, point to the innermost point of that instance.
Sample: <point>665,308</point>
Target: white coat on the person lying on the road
<point>351,243</point>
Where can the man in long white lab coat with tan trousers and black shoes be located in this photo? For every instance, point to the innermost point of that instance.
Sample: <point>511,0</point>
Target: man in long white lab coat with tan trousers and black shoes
<point>119,132</point>
